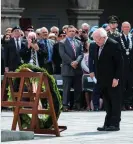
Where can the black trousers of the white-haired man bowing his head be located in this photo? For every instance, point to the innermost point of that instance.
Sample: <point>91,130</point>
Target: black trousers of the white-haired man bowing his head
<point>112,103</point>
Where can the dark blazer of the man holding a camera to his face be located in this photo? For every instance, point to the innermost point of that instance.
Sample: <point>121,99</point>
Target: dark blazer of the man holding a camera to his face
<point>25,53</point>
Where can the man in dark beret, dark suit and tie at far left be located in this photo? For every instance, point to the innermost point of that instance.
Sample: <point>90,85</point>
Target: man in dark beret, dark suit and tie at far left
<point>12,57</point>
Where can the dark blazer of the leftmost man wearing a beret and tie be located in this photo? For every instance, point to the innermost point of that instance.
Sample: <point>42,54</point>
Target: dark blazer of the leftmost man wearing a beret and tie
<point>12,57</point>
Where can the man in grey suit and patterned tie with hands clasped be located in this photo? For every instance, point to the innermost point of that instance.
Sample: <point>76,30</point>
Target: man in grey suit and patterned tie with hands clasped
<point>71,52</point>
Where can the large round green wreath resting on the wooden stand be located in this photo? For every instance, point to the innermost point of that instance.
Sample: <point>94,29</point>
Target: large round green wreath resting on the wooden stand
<point>45,121</point>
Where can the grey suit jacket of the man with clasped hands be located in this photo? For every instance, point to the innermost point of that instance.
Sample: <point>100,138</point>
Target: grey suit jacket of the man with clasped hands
<point>67,56</point>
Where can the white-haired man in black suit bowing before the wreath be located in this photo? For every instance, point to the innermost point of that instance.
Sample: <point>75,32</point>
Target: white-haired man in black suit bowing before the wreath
<point>109,66</point>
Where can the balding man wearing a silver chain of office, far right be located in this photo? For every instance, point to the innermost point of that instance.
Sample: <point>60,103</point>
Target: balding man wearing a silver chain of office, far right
<point>126,42</point>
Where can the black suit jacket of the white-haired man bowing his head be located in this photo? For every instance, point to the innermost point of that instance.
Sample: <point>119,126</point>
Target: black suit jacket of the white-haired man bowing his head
<point>110,63</point>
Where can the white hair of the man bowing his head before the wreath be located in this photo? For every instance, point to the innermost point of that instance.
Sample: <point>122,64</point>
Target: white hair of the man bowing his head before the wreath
<point>100,32</point>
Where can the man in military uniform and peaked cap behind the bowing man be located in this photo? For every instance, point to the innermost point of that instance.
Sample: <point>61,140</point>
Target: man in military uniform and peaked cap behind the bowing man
<point>113,24</point>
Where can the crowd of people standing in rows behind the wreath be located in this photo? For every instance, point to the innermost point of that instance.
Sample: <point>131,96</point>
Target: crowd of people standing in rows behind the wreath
<point>71,52</point>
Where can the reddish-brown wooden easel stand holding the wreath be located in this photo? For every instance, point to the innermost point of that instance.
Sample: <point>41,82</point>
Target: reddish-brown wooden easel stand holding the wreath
<point>19,105</point>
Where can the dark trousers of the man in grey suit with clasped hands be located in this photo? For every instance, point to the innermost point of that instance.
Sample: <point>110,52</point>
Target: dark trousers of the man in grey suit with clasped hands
<point>68,82</point>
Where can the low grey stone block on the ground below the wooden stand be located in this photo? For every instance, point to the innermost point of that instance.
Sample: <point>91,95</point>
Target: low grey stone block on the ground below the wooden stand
<point>7,135</point>
